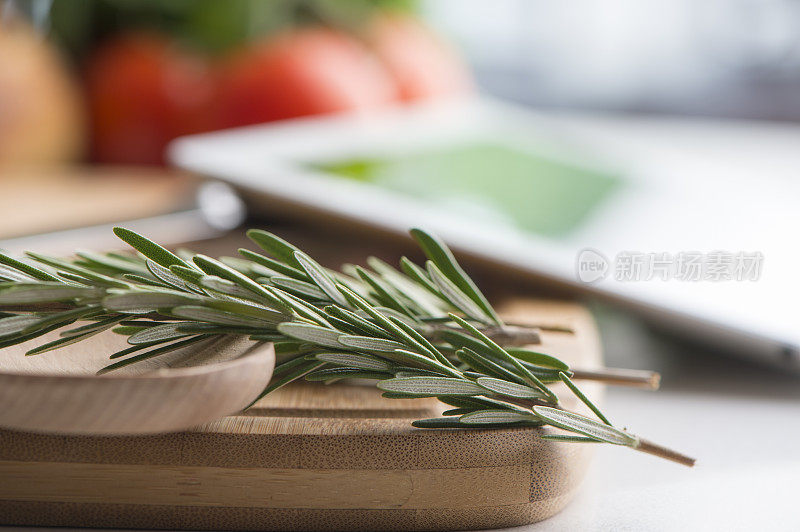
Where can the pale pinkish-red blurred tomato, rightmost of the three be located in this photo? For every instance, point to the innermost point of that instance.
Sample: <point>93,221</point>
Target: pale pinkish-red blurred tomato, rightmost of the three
<point>421,64</point>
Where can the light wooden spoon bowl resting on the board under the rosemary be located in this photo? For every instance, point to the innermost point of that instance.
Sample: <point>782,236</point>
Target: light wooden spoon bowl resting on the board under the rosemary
<point>58,391</point>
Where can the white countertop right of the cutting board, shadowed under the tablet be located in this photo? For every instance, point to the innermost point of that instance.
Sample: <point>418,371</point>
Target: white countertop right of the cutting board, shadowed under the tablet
<point>742,423</point>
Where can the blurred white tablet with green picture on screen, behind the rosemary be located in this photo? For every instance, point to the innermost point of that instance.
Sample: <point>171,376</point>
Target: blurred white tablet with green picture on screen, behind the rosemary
<point>692,223</point>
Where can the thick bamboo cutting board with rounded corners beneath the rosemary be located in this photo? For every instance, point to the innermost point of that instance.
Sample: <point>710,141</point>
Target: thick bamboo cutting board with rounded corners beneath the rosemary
<point>309,457</point>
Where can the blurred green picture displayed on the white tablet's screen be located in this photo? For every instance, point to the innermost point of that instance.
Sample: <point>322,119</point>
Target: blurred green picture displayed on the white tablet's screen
<point>536,193</point>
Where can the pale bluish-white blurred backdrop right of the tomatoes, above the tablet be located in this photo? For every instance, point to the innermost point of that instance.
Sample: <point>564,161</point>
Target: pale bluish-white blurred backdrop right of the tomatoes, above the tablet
<point>728,58</point>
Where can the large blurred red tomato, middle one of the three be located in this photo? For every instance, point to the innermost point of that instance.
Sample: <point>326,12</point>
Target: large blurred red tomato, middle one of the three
<point>304,72</point>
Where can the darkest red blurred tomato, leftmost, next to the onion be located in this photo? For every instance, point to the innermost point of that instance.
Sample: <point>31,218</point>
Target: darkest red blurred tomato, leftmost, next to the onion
<point>143,92</point>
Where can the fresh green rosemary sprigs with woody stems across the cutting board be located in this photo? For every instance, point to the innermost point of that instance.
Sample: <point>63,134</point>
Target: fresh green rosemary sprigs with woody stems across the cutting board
<point>419,331</point>
